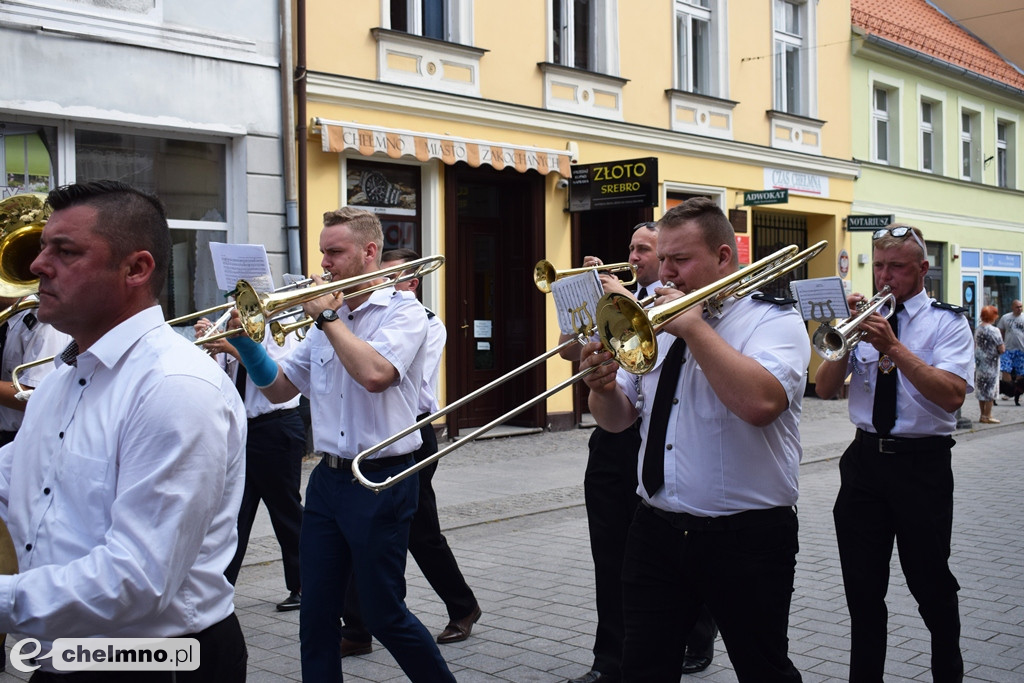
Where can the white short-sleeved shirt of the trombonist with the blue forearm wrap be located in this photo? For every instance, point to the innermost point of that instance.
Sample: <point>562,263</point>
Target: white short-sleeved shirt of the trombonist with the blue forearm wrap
<point>347,418</point>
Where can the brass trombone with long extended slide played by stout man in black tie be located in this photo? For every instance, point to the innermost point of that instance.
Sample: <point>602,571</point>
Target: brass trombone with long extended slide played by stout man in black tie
<point>626,330</point>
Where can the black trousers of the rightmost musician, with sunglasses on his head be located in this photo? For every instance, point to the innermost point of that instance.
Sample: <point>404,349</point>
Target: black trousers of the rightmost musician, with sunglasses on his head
<point>907,497</point>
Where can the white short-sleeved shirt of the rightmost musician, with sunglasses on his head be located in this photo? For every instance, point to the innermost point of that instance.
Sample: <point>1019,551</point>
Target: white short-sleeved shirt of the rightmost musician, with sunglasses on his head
<point>941,338</point>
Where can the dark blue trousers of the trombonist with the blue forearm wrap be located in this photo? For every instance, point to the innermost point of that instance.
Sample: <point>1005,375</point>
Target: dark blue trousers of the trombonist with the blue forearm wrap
<point>349,529</point>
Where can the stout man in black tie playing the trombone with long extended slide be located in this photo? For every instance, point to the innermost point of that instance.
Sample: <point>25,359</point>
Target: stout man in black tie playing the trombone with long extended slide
<point>718,463</point>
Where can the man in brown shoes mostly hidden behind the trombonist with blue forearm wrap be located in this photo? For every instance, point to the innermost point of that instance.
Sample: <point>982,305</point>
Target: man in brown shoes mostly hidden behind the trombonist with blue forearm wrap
<point>426,543</point>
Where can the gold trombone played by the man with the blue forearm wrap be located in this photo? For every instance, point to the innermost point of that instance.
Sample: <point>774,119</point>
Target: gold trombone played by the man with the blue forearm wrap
<point>257,309</point>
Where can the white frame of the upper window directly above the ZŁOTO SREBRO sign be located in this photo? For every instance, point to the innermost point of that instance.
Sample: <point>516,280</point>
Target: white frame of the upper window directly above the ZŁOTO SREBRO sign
<point>605,34</point>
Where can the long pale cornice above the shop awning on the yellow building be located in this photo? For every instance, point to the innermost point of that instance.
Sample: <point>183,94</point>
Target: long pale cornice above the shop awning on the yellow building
<point>373,96</point>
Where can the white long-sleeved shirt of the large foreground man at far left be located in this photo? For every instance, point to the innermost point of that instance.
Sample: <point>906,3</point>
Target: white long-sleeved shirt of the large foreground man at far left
<point>122,492</point>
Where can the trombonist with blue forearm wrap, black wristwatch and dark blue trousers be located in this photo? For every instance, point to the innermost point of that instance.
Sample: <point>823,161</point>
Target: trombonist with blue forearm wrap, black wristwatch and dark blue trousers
<point>362,369</point>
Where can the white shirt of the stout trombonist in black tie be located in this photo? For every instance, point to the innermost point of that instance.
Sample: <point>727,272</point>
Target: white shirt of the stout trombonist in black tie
<point>715,463</point>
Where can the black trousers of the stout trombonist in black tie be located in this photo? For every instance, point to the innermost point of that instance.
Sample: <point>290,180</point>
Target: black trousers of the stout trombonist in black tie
<point>744,573</point>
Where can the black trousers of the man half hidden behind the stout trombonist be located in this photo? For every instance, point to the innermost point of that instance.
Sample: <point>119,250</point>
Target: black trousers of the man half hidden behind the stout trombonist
<point>611,494</point>
